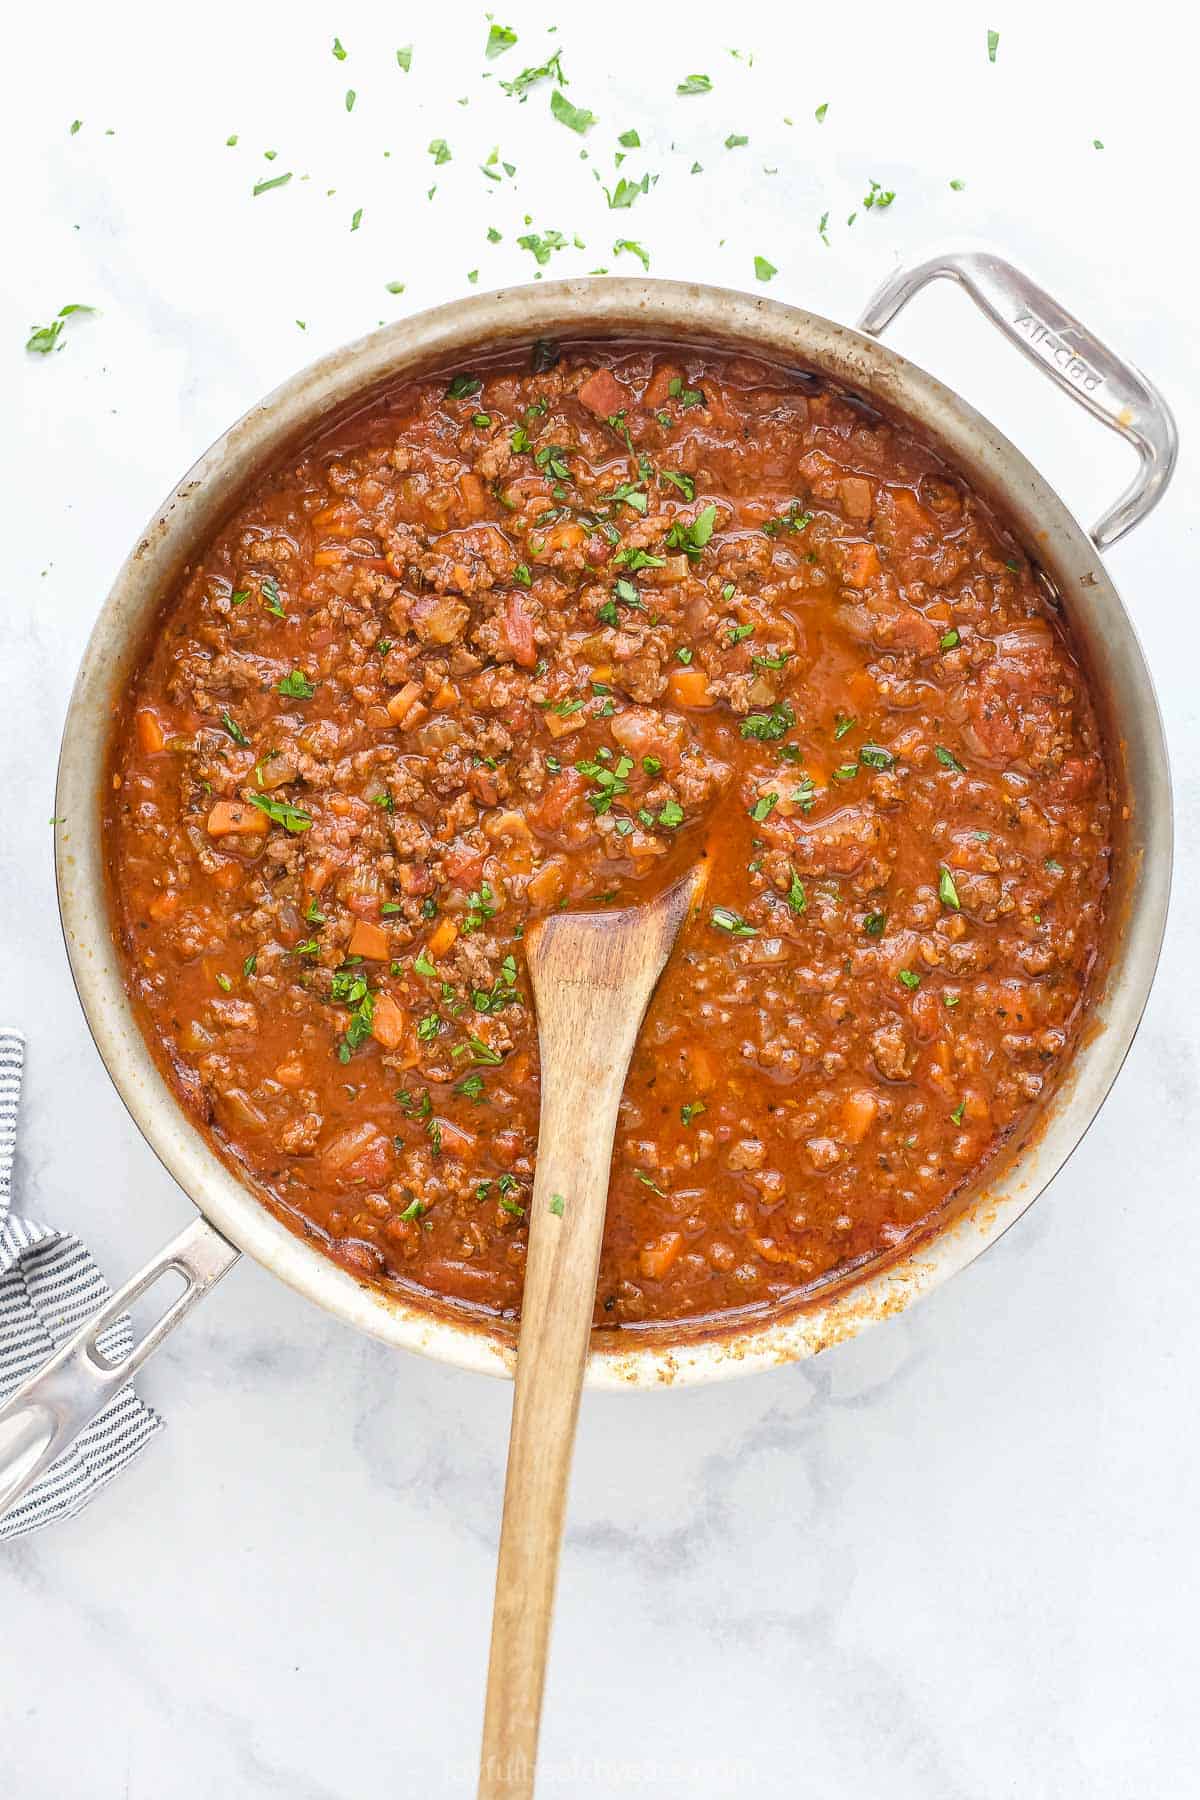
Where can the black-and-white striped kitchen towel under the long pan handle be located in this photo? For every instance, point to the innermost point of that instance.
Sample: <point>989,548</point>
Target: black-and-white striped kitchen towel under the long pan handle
<point>49,1286</point>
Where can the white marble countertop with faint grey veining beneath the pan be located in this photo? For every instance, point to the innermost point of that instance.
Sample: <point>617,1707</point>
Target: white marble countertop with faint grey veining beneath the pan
<point>951,1561</point>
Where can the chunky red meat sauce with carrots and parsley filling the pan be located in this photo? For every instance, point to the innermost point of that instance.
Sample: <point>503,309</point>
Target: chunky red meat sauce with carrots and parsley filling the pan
<point>544,636</point>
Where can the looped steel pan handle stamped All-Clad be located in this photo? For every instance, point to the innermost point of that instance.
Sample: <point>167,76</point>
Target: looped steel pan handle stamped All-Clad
<point>1113,390</point>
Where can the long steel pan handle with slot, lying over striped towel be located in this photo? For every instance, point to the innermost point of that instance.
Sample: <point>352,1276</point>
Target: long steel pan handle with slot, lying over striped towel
<point>49,1410</point>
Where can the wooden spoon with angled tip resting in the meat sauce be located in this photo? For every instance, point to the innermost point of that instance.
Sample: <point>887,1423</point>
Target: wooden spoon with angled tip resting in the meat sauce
<point>593,976</point>
